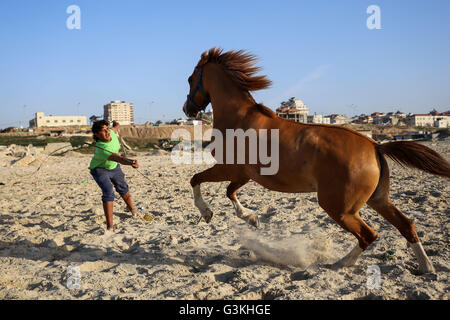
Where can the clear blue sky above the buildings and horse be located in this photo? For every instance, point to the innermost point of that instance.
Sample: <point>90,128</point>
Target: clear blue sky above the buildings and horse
<point>143,51</point>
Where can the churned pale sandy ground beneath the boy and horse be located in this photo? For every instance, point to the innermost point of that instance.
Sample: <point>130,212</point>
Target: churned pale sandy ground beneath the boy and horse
<point>52,221</point>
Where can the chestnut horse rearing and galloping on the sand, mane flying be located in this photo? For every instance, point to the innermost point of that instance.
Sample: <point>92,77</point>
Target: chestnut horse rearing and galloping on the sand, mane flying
<point>344,167</point>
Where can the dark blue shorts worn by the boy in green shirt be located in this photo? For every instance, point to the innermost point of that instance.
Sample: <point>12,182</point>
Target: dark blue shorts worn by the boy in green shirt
<point>107,178</point>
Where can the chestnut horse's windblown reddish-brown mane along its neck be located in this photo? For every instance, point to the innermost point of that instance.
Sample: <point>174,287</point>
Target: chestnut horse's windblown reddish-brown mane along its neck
<point>240,66</point>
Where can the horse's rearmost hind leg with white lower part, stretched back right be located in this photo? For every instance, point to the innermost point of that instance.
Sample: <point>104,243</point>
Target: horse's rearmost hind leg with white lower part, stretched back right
<point>386,208</point>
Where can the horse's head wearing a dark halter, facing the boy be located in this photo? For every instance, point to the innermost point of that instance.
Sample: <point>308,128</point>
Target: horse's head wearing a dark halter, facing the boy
<point>197,99</point>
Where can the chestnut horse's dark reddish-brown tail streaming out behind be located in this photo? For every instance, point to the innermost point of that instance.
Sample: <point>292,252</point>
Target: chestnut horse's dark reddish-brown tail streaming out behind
<point>416,155</point>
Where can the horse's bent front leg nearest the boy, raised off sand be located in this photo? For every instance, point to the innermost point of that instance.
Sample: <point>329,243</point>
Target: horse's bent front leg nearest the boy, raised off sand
<point>214,174</point>
